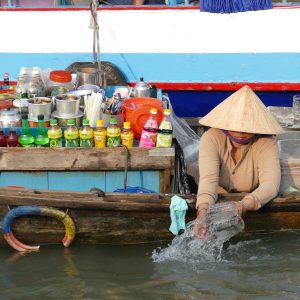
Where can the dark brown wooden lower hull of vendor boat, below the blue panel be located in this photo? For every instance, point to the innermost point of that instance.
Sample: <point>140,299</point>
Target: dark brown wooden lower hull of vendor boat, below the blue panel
<point>121,218</point>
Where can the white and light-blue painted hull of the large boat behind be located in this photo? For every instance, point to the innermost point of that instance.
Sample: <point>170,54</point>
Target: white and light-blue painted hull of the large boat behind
<point>180,47</point>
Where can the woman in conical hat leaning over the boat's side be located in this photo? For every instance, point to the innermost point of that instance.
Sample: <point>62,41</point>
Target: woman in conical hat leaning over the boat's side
<point>238,154</point>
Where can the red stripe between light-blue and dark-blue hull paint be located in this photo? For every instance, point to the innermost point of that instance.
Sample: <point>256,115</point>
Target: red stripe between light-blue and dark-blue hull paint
<point>230,86</point>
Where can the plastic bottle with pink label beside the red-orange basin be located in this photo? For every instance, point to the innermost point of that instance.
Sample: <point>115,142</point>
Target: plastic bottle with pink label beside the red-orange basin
<point>149,133</point>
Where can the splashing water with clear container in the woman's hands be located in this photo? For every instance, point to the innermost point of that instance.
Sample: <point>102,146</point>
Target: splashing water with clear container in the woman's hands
<point>222,221</point>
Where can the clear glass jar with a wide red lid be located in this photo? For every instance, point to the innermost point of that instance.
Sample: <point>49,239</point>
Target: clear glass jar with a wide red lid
<point>60,82</point>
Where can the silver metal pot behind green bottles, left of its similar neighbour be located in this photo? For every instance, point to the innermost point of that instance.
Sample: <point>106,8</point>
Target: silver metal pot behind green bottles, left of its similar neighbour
<point>40,106</point>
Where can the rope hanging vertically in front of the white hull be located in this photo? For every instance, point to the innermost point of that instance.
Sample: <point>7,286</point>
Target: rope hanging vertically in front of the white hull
<point>96,41</point>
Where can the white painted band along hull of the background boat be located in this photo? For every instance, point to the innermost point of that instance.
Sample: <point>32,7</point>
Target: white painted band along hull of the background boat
<point>151,31</point>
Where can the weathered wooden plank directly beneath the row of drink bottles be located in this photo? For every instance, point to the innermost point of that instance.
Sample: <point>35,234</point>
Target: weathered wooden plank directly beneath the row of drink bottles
<point>46,159</point>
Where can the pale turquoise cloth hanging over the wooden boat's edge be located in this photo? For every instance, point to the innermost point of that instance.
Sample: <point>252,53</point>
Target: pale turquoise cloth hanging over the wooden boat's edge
<point>178,208</point>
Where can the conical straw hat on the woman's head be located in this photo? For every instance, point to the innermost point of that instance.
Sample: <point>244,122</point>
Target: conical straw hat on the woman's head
<point>242,111</point>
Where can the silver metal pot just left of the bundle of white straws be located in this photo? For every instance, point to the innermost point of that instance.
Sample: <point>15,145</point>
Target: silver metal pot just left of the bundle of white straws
<point>67,105</point>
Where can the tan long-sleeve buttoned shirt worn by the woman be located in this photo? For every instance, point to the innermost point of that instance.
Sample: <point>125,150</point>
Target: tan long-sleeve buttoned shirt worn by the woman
<point>257,173</point>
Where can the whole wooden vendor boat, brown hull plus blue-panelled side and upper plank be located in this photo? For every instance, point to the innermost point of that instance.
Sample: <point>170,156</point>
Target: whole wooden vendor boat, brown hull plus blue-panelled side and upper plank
<point>61,178</point>
